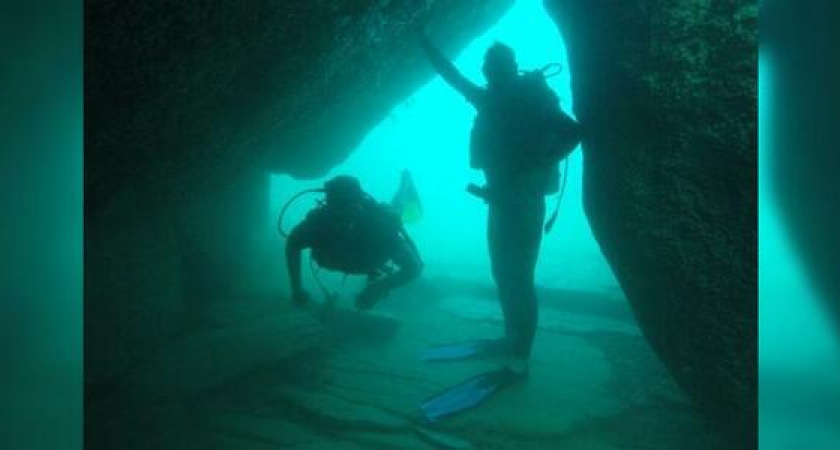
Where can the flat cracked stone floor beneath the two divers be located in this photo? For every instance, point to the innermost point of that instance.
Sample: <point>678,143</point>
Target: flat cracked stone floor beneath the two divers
<point>586,390</point>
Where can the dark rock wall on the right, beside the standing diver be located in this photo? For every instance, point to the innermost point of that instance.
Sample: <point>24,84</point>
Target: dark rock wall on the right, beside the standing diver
<point>666,92</point>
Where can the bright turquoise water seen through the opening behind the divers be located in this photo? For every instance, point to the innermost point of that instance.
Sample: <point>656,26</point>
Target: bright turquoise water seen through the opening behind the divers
<point>428,135</point>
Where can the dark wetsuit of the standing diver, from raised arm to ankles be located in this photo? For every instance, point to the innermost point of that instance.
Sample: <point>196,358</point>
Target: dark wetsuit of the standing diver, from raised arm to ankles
<point>516,189</point>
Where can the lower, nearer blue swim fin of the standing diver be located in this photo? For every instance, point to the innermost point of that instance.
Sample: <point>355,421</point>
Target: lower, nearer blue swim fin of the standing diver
<point>468,394</point>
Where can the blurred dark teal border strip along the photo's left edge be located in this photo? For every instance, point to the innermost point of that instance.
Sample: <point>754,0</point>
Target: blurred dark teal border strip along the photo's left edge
<point>41,163</point>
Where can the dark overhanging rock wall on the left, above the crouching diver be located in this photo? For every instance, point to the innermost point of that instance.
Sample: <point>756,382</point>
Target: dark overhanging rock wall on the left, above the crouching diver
<point>188,107</point>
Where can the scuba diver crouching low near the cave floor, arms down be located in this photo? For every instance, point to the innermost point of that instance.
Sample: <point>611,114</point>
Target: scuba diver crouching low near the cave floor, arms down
<point>350,232</point>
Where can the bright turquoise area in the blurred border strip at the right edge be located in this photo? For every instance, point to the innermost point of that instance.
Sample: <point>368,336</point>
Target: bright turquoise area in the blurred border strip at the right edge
<point>799,355</point>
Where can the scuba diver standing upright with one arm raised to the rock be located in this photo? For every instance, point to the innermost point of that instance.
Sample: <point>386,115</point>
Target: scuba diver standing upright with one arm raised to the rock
<point>518,139</point>
